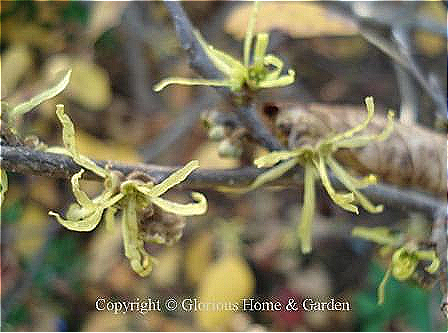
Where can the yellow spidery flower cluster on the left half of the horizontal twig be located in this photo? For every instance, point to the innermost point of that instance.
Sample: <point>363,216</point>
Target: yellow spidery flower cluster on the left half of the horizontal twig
<point>131,196</point>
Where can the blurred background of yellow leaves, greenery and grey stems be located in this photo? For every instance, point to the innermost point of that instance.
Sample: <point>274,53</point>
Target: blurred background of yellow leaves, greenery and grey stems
<point>246,246</point>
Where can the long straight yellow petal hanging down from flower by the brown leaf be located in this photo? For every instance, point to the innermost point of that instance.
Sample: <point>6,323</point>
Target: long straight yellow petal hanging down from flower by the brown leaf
<point>307,215</point>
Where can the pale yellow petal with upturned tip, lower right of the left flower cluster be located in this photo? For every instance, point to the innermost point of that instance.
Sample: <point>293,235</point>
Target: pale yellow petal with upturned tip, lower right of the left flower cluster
<point>197,208</point>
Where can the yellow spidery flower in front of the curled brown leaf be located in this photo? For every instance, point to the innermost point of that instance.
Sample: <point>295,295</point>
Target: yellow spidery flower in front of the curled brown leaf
<point>315,160</point>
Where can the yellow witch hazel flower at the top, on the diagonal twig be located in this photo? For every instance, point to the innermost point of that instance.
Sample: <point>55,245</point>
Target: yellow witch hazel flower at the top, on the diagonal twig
<point>264,71</point>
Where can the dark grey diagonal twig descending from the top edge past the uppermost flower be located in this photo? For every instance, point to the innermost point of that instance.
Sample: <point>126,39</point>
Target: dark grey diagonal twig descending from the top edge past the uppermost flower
<point>202,64</point>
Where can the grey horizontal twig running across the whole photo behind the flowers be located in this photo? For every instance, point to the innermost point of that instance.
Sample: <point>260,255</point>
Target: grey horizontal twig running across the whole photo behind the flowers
<point>27,161</point>
